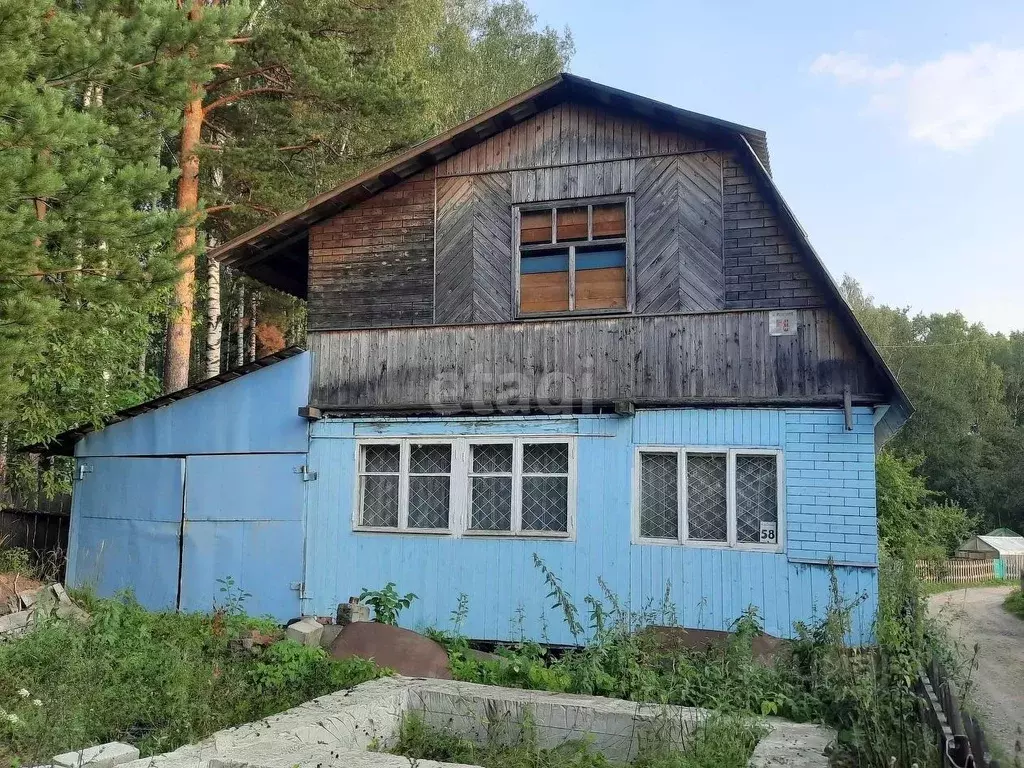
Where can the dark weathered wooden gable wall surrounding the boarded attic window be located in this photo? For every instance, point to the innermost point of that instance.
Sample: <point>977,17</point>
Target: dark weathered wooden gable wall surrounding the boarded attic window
<point>438,248</point>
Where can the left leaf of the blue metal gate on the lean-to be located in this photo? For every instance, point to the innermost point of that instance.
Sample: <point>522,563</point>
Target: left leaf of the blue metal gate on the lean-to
<point>126,528</point>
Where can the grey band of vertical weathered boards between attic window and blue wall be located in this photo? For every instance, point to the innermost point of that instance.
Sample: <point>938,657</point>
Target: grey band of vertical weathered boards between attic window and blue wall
<point>726,356</point>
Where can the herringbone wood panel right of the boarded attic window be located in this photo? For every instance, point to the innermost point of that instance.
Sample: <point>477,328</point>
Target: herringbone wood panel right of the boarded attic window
<point>678,225</point>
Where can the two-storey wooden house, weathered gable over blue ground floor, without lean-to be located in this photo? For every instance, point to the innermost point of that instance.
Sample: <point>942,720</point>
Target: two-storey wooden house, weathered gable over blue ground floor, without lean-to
<point>582,329</point>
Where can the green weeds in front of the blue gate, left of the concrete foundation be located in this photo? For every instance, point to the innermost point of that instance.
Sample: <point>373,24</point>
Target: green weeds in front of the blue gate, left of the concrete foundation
<point>156,680</point>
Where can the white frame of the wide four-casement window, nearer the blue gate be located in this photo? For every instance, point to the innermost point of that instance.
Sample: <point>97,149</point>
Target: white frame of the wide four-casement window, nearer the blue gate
<point>460,490</point>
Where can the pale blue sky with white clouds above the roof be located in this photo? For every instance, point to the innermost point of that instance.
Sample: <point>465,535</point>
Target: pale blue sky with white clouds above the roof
<point>897,130</point>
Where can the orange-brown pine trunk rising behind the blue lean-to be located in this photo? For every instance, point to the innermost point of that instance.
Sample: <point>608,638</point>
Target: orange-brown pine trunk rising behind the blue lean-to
<point>180,328</point>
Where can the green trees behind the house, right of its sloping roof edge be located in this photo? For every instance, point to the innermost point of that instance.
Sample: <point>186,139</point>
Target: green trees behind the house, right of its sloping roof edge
<point>967,387</point>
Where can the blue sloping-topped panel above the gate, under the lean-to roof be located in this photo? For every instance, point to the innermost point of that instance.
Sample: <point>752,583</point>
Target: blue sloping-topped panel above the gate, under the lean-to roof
<point>257,413</point>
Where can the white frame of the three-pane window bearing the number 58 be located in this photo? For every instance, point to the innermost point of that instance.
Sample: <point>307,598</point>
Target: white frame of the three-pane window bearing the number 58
<point>684,539</point>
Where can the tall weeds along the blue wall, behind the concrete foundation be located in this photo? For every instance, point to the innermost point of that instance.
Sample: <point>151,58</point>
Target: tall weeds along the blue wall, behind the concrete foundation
<point>867,695</point>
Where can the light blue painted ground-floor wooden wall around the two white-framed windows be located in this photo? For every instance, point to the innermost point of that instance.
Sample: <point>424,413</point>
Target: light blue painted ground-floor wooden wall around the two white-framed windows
<point>830,514</point>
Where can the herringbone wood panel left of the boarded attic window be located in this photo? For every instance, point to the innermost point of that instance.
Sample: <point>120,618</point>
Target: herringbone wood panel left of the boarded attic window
<point>474,244</point>
